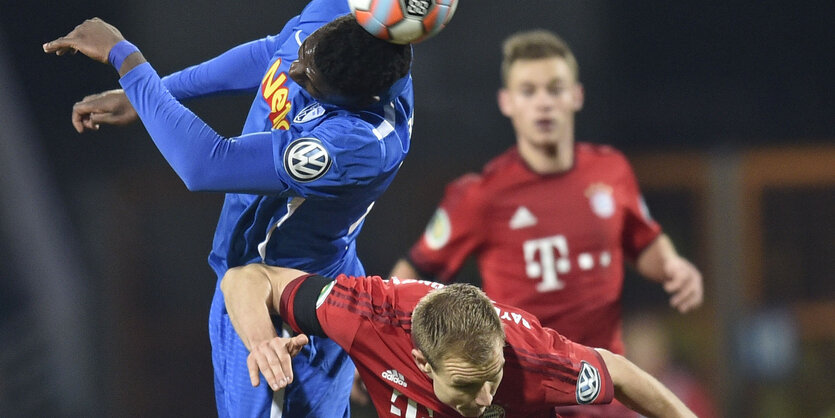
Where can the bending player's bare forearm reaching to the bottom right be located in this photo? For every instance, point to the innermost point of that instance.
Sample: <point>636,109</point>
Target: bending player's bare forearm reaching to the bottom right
<point>640,391</point>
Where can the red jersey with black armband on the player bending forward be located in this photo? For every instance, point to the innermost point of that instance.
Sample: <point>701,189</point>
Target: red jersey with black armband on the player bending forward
<point>371,319</point>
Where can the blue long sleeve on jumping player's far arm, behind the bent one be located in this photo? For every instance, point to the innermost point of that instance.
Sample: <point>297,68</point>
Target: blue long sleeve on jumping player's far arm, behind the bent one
<point>237,70</point>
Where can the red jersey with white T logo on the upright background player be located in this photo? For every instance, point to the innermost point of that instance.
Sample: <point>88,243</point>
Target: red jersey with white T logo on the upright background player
<point>552,244</point>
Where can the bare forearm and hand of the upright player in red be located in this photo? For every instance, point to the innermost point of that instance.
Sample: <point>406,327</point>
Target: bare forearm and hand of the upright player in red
<point>681,279</point>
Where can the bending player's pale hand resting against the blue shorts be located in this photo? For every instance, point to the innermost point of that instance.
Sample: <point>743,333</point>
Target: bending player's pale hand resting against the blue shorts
<point>273,359</point>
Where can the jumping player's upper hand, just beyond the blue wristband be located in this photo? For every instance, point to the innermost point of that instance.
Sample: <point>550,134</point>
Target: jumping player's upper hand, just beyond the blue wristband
<point>93,38</point>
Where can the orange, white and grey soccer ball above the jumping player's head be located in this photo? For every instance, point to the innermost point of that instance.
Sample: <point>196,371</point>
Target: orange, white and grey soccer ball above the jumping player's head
<point>403,21</point>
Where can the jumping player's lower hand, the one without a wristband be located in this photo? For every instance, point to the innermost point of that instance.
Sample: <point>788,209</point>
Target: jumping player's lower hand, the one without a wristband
<point>111,107</point>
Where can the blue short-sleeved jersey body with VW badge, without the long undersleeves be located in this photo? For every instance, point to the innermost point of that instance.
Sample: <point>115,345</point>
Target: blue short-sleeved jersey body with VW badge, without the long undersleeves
<point>334,164</point>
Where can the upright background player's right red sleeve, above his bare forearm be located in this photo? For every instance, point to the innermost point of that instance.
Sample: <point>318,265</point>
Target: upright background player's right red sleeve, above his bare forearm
<point>639,229</point>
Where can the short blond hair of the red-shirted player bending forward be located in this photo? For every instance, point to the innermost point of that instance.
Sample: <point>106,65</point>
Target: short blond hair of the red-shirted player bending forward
<point>457,321</point>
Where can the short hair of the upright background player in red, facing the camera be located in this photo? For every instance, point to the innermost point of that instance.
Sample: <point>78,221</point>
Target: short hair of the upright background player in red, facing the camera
<point>536,44</point>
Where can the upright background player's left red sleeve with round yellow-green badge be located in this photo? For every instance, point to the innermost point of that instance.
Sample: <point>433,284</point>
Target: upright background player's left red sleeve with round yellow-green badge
<point>454,231</point>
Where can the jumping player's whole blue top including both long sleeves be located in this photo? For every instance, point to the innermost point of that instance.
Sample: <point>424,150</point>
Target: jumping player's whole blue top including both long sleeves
<point>328,165</point>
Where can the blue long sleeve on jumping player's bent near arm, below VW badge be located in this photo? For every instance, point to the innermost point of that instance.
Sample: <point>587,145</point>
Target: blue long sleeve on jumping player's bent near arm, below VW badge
<point>203,159</point>
